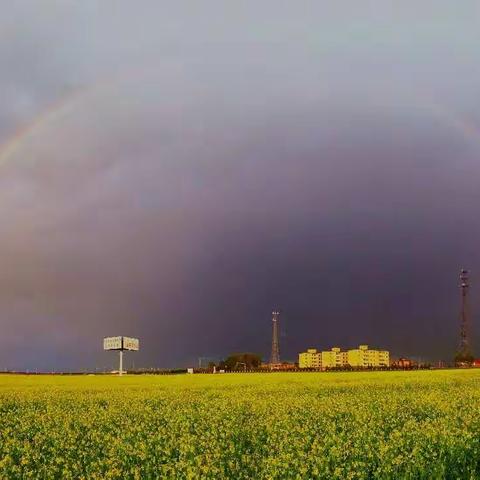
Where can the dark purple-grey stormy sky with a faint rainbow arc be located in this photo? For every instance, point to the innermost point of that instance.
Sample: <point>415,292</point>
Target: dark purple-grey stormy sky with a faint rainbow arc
<point>174,171</point>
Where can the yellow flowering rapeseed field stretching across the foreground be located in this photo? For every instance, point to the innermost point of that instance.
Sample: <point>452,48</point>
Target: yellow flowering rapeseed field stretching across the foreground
<point>385,425</point>
